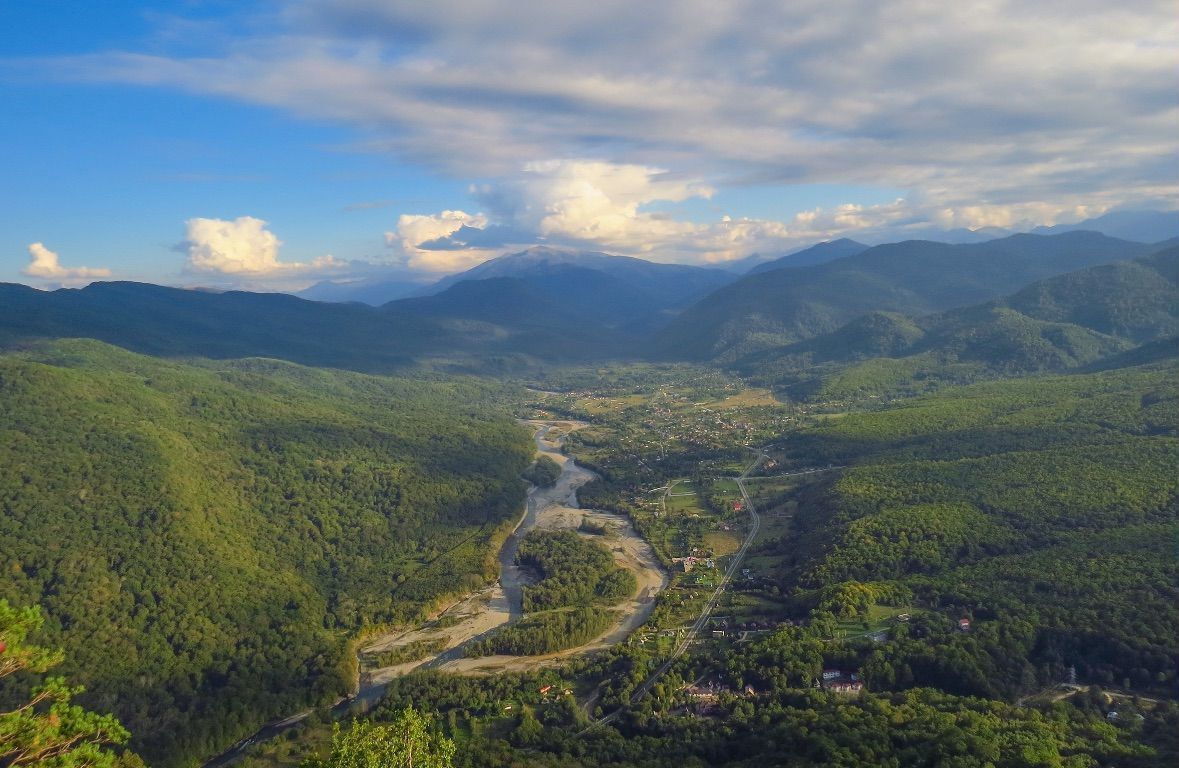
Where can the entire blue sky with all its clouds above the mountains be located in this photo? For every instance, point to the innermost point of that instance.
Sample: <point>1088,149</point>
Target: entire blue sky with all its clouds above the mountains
<point>269,146</point>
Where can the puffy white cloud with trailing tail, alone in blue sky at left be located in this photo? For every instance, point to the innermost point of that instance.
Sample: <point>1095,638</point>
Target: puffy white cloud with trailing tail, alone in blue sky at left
<point>243,247</point>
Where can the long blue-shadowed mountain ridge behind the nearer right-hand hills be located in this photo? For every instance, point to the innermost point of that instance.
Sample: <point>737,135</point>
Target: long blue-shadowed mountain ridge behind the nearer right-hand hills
<point>915,278</point>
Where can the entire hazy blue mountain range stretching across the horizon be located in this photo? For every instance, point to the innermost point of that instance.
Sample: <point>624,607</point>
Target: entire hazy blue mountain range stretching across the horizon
<point>831,305</point>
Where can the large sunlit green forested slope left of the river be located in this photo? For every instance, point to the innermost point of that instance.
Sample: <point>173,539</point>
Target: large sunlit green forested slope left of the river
<point>205,537</point>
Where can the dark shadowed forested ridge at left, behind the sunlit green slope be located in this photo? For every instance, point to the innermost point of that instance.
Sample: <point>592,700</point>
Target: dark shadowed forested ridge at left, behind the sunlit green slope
<point>472,321</point>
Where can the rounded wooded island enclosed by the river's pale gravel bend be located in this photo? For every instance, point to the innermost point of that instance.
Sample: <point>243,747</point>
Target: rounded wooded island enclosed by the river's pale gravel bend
<point>574,570</point>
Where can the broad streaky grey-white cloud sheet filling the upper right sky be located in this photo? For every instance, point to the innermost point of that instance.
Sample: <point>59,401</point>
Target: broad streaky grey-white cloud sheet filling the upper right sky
<point>1068,103</point>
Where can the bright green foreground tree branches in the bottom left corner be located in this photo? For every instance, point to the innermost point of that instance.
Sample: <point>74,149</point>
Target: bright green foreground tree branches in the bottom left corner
<point>39,726</point>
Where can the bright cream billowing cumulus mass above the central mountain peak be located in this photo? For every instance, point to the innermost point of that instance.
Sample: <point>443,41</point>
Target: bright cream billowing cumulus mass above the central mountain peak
<point>605,207</point>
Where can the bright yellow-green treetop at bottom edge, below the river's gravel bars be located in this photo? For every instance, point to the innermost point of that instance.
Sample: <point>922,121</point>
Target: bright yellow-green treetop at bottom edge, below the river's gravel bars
<point>407,743</point>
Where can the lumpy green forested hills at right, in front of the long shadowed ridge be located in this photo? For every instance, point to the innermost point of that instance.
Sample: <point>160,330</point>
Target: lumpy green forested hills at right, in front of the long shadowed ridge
<point>1063,323</point>
